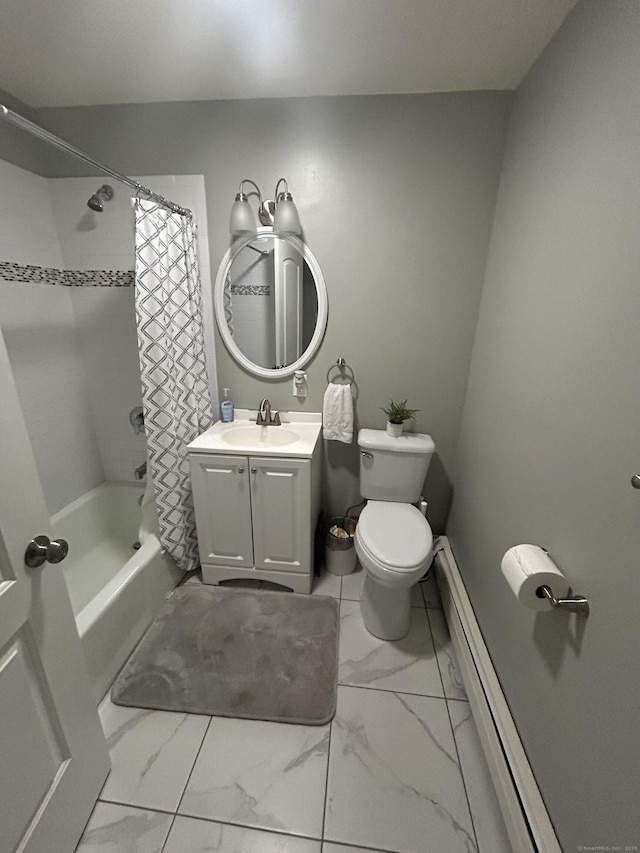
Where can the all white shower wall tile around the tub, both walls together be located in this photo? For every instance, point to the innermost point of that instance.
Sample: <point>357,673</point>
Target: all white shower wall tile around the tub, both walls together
<point>74,349</point>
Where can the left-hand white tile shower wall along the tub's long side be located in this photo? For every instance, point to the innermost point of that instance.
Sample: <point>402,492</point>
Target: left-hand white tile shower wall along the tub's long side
<point>39,327</point>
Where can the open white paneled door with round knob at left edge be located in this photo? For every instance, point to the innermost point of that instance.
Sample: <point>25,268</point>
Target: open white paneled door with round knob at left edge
<point>53,756</point>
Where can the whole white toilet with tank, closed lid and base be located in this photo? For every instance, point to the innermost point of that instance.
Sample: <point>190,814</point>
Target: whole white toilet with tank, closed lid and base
<point>393,539</point>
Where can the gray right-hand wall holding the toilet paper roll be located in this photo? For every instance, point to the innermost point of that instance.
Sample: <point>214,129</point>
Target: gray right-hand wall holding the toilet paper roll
<point>550,433</point>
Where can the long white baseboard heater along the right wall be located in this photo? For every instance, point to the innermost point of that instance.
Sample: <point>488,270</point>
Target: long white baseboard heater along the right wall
<point>526,819</point>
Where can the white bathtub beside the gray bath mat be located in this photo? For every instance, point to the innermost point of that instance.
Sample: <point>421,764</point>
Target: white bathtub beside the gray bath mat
<point>115,589</point>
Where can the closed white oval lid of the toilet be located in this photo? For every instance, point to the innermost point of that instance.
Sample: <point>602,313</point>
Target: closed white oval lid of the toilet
<point>395,534</point>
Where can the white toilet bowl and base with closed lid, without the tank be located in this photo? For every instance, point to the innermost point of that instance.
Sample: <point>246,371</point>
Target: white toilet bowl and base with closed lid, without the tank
<point>394,544</point>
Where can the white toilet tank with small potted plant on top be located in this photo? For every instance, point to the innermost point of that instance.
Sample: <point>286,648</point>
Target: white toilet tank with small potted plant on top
<point>393,469</point>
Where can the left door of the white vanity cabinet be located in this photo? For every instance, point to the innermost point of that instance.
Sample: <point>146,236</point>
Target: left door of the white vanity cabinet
<point>223,509</point>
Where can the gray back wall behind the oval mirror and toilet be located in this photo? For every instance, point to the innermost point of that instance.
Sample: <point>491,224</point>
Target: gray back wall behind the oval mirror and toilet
<point>396,197</point>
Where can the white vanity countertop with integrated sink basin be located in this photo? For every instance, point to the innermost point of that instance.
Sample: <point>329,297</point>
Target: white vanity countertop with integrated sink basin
<point>254,440</point>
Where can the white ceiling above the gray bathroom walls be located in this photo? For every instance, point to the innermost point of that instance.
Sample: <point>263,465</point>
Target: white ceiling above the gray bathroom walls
<point>81,52</point>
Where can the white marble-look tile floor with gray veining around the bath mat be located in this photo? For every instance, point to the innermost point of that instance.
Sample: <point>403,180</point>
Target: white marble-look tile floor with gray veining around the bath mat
<point>399,769</point>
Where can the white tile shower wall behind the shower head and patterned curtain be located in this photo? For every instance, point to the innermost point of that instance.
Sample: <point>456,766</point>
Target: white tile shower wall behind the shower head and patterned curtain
<point>106,317</point>
